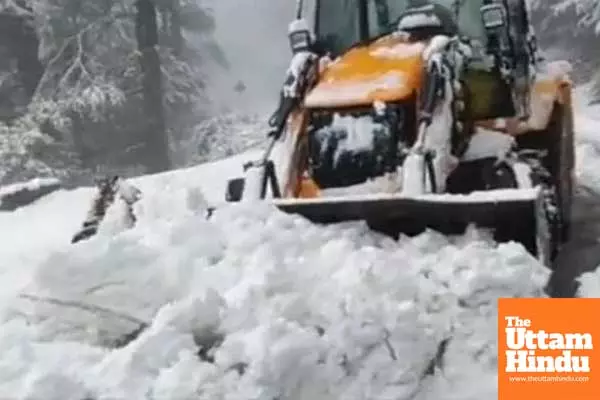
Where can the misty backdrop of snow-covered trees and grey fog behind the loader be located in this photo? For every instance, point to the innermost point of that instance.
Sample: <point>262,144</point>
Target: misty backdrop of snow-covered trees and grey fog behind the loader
<point>75,77</point>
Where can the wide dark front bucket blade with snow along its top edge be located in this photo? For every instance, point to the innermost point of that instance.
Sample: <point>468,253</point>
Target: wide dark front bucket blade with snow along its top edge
<point>513,215</point>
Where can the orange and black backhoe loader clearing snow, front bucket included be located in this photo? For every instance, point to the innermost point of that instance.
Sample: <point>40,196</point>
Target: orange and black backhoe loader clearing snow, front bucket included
<point>421,114</point>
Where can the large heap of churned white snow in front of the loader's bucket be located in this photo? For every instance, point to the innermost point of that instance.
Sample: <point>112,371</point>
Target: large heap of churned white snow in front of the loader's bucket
<point>258,304</point>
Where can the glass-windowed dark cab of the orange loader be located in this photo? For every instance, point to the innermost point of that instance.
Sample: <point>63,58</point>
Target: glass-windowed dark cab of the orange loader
<point>501,67</point>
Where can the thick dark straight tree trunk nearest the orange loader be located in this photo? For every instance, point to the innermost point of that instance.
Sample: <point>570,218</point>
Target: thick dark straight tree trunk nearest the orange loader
<point>156,152</point>
